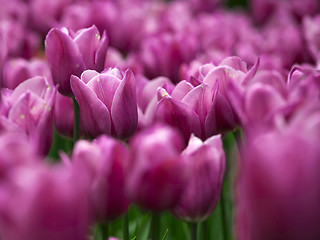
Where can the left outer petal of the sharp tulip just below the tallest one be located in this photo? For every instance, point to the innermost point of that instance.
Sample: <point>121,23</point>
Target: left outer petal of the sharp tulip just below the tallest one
<point>94,115</point>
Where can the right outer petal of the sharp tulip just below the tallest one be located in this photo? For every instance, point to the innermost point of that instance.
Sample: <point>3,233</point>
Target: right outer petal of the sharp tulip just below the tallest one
<point>124,107</point>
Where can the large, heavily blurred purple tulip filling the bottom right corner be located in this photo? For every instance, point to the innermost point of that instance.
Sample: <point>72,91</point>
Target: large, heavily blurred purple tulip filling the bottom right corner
<point>278,190</point>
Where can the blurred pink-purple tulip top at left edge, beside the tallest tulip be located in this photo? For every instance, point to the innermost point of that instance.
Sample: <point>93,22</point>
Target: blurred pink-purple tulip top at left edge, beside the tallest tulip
<point>18,70</point>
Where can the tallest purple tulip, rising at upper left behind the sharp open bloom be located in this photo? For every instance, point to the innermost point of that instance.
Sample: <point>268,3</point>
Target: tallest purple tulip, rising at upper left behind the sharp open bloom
<point>69,53</point>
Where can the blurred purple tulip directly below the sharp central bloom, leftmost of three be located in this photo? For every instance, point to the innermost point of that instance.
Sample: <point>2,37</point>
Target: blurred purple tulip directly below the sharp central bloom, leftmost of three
<point>104,163</point>
